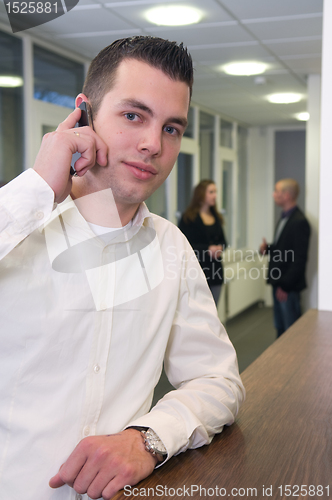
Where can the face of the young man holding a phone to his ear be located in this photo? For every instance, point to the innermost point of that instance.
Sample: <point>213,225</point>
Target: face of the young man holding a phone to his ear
<point>142,120</point>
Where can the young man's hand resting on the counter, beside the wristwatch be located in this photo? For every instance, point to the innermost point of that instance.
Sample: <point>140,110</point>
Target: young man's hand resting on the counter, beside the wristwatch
<point>102,465</point>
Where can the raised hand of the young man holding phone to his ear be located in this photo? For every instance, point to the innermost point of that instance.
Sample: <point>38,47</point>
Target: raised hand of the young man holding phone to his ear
<point>54,158</point>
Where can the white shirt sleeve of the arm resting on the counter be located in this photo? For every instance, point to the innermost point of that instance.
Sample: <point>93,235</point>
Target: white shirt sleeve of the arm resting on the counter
<point>201,364</point>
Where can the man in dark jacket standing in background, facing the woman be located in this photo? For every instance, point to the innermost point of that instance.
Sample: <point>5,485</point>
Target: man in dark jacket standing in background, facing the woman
<point>287,255</point>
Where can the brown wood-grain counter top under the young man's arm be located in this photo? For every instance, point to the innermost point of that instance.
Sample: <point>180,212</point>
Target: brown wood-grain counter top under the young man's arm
<point>281,437</point>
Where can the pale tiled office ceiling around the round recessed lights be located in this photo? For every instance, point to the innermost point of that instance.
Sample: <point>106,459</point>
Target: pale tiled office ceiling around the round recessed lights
<point>285,34</point>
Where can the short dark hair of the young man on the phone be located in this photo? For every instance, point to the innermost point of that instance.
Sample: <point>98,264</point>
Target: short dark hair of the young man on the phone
<point>172,58</point>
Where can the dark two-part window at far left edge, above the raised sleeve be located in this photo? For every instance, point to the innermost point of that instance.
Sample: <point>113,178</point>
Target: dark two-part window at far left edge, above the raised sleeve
<point>11,110</point>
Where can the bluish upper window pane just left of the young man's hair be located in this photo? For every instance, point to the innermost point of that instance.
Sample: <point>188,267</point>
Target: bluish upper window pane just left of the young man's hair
<point>56,79</point>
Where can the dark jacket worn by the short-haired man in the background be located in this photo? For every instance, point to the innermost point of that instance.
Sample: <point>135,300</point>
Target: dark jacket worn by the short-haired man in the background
<point>288,256</point>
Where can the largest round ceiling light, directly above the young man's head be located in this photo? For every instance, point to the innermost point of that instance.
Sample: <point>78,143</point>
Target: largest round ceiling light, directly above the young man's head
<point>173,15</point>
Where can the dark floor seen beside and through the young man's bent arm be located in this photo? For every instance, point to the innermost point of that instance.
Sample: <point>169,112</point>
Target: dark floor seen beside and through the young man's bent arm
<point>251,332</point>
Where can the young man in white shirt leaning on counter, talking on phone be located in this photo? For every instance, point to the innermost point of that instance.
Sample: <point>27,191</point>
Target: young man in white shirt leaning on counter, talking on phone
<point>97,293</point>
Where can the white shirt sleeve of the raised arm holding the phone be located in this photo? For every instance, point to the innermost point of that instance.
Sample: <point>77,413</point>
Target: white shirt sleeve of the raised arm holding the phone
<point>25,204</point>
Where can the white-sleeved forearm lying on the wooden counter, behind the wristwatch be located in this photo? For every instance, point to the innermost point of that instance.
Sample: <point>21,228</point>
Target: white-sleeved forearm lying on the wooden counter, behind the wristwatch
<point>178,418</point>
